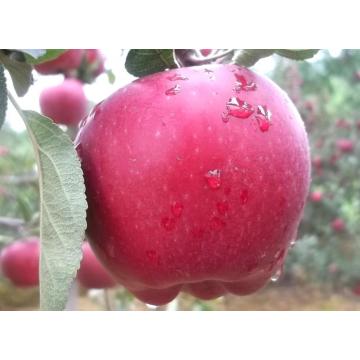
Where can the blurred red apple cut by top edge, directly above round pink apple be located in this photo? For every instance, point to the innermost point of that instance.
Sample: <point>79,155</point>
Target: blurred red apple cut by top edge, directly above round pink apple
<point>67,61</point>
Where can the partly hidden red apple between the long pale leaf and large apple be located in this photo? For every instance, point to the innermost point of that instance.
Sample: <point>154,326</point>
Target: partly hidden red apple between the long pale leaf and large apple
<point>92,275</point>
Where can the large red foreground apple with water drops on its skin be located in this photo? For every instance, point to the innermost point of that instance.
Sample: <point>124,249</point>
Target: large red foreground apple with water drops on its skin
<point>181,198</point>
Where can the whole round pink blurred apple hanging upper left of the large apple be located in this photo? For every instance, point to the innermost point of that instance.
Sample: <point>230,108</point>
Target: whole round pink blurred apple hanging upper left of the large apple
<point>65,103</point>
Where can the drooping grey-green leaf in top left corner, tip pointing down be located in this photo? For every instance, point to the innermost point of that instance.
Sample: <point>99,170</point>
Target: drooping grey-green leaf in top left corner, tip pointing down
<point>20,72</point>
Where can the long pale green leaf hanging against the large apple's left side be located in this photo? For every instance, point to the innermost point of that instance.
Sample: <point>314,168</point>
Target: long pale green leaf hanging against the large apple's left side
<point>63,208</point>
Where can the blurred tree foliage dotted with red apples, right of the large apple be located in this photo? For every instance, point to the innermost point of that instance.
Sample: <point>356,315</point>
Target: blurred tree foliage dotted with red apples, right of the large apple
<point>326,93</point>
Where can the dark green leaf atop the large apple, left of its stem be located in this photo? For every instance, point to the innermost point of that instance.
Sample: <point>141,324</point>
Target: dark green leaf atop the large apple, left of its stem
<point>141,62</point>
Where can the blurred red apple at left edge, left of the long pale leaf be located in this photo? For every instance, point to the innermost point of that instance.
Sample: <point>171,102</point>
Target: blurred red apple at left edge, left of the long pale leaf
<point>19,262</point>
